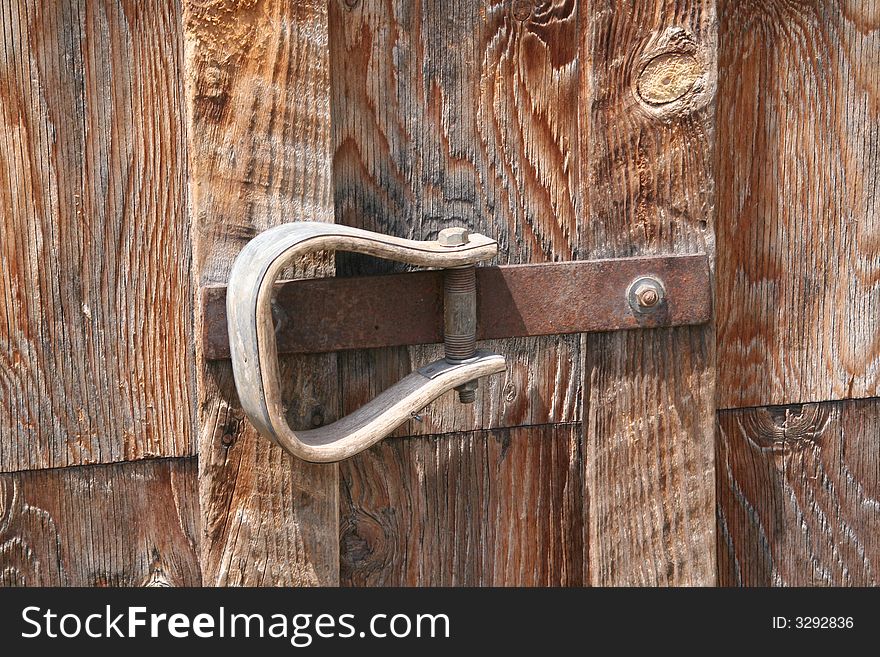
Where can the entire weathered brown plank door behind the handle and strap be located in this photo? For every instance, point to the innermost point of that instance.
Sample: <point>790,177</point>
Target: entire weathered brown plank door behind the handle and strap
<point>146,142</point>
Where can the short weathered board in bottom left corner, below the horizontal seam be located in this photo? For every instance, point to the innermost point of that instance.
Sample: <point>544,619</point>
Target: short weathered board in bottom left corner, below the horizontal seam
<point>126,524</point>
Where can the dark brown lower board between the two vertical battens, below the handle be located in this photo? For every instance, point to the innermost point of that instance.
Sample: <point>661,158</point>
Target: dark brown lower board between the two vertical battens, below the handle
<point>502,507</point>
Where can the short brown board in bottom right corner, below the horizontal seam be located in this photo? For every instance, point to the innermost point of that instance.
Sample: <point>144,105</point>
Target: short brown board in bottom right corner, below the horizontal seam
<point>799,495</point>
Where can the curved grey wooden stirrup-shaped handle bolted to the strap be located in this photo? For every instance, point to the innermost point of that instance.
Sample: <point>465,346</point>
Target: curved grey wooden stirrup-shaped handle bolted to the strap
<point>255,350</point>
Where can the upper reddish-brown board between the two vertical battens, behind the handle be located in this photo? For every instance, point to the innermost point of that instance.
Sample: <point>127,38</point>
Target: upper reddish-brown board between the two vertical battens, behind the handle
<point>460,113</point>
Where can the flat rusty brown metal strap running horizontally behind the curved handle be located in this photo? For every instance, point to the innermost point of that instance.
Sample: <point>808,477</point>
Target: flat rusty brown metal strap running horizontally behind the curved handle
<point>512,301</point>
